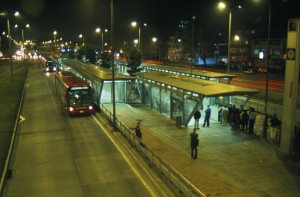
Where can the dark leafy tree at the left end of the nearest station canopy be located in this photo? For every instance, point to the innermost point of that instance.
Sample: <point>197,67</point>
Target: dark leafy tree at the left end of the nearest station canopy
<point>134,60</point>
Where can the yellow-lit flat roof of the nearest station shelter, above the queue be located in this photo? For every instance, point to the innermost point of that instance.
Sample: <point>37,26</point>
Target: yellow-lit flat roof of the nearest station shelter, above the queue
<point>202,87</point>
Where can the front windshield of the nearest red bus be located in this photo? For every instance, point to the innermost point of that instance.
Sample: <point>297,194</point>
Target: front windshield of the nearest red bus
<point>80,97</point>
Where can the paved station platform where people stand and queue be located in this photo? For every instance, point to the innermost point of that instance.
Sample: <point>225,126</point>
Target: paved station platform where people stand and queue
<point>229,163</point>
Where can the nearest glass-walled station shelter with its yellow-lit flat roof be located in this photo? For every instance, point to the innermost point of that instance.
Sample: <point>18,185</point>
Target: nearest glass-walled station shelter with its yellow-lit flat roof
<point>176,95</point>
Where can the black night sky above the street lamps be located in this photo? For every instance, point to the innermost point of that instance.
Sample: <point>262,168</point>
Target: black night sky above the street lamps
<point>73,17</point>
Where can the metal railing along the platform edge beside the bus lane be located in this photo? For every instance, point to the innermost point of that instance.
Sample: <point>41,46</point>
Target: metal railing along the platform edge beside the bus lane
<point>172,175</point>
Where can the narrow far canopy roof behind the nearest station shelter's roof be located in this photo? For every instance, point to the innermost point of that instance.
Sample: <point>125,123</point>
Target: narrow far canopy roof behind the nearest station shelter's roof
<point>184,70</point>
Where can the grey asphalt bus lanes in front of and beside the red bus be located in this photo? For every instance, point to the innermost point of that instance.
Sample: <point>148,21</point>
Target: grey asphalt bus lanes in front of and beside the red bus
<point>58,155</point>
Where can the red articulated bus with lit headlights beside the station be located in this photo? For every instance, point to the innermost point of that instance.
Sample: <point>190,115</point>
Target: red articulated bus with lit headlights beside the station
<point>75,94</point>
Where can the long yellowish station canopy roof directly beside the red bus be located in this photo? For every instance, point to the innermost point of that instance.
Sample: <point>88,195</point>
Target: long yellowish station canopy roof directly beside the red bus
<point>96,71</point>
